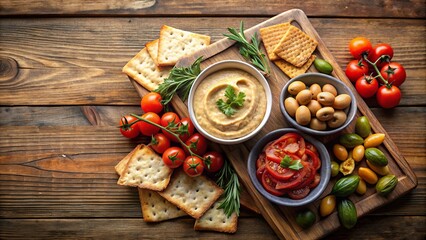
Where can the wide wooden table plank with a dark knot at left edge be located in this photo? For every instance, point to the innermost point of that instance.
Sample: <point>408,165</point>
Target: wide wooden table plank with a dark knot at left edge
<point>67,61</point>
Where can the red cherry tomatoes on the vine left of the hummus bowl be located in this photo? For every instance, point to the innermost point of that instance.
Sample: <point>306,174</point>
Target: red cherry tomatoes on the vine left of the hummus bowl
<point>174,151</point>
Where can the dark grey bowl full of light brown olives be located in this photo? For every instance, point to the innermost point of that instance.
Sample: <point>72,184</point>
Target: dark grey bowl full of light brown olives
<point>317,104</point>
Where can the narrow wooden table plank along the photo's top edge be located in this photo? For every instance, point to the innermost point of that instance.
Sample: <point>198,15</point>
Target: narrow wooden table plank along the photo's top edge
<point>375,8</point>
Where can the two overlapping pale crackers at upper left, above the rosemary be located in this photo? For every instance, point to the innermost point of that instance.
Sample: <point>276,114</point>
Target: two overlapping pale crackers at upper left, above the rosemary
<point>153,63</point>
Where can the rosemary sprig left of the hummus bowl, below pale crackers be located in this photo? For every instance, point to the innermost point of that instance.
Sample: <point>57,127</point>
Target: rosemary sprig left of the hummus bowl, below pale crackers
<point>179,82</point>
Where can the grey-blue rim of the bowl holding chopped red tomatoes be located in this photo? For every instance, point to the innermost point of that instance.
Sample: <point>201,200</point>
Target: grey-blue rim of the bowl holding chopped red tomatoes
<point>284,201</point>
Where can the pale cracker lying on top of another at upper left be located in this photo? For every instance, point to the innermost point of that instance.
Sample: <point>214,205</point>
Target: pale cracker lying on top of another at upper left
<point>175,44</point>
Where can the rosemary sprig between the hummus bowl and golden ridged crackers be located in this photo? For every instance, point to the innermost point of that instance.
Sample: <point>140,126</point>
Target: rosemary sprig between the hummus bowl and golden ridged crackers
<point>250,51</point>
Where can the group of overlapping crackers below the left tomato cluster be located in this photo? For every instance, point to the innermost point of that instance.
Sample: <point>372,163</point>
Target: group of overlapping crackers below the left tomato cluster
<point>166,194</point>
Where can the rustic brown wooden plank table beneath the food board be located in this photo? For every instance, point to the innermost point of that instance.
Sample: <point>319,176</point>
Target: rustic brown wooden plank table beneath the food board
<point>62,93</point>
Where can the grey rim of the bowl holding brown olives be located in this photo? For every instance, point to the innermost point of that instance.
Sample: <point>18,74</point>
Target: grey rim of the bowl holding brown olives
<point>351,111</point>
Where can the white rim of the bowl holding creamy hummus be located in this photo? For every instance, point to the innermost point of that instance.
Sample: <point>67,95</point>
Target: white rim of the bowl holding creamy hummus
<point>226,64</point>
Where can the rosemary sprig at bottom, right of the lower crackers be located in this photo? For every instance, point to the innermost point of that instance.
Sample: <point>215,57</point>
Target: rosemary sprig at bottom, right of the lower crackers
<point>228,180</point>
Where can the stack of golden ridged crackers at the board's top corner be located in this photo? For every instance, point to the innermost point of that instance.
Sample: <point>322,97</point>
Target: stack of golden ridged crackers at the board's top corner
<point>289,48</point>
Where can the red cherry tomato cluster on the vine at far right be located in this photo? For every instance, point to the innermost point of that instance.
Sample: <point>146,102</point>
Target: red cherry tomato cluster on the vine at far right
<point>373,73</point>
